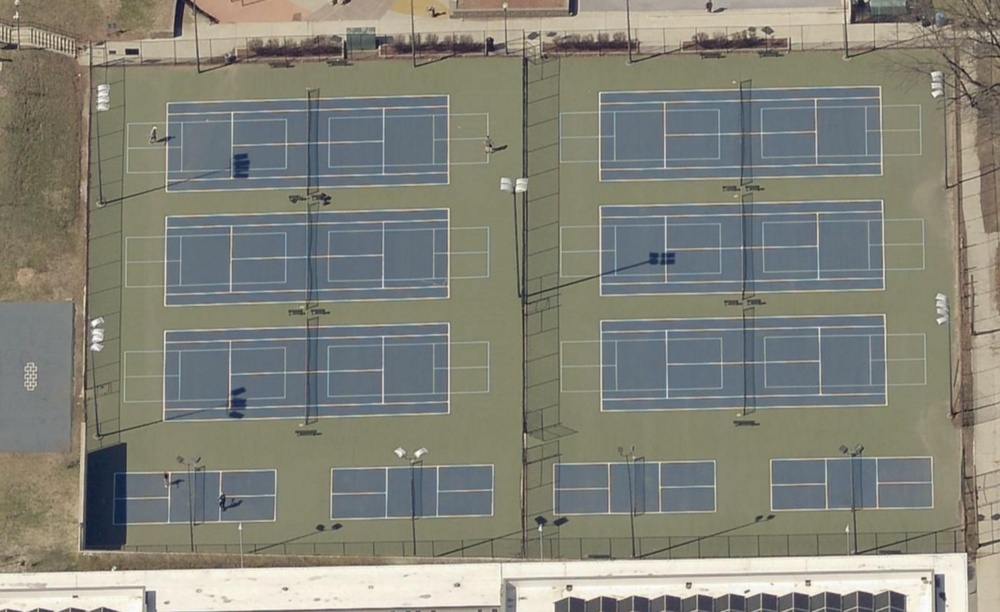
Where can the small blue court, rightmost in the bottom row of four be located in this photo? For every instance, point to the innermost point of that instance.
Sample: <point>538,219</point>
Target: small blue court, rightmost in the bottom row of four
<point>825,484</point>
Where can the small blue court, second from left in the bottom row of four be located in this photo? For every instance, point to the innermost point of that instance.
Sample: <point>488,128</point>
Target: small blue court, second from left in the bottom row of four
<point>384,492</point>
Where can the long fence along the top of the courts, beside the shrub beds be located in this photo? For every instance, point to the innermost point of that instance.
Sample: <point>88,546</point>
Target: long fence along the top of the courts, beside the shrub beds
<point>335,49</point>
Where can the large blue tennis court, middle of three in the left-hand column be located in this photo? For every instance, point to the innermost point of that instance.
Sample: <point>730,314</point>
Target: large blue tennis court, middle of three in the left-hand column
<point>240,259</point>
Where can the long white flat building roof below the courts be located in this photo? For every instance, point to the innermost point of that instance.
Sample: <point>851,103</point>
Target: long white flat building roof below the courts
<point>924,580</point>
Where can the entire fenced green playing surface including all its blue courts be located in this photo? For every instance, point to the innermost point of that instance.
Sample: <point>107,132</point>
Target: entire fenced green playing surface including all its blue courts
<point>289,393</point>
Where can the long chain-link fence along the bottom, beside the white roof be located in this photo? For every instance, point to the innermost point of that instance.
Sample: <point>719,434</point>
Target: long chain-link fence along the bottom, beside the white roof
<point>673,547</point>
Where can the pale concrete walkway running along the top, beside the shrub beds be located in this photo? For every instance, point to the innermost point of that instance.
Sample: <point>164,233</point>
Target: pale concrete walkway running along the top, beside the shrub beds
<point>805,27</point>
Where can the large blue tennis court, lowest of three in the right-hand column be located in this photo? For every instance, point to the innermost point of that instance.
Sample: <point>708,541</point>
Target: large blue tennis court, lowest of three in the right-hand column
<point>769,362</point>
